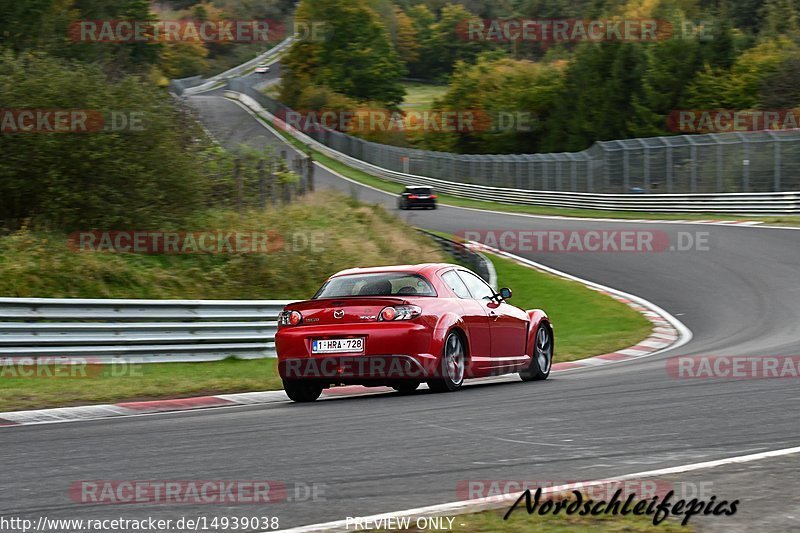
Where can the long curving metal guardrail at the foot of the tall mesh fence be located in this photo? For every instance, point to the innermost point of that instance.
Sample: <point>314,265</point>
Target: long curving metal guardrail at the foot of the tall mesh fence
<point>781,203</point>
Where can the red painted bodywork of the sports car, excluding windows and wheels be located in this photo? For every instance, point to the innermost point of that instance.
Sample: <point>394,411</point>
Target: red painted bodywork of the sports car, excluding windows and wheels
<point>498,336</point>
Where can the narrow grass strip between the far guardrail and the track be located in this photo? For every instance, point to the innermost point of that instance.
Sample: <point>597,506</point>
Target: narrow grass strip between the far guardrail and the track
<point>392,187</point>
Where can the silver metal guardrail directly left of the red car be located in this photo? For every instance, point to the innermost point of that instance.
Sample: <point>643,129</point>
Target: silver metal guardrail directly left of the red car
<point>142,331</point>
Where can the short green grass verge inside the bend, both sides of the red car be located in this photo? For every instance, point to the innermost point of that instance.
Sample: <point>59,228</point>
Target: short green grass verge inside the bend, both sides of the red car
<point>586,323</point>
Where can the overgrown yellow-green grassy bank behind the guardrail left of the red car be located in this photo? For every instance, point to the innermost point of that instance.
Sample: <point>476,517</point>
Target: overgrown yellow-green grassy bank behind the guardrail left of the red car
<point>309,240</point>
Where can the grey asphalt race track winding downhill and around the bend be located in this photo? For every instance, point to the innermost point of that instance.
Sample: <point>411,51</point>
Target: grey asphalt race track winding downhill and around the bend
<point>738,292</point>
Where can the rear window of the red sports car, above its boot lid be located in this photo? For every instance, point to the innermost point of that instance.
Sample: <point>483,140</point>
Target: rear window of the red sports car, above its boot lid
<point>380,284</point>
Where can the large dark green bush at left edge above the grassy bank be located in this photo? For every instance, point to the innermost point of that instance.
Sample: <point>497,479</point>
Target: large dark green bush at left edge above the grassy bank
<point>144,176</point>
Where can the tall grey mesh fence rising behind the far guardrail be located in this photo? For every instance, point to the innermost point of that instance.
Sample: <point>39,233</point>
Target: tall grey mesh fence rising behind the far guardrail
<point>739,162</point>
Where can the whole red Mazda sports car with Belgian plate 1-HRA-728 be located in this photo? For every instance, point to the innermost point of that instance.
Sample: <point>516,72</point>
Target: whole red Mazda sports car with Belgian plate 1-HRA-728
<point>404,325</point>
